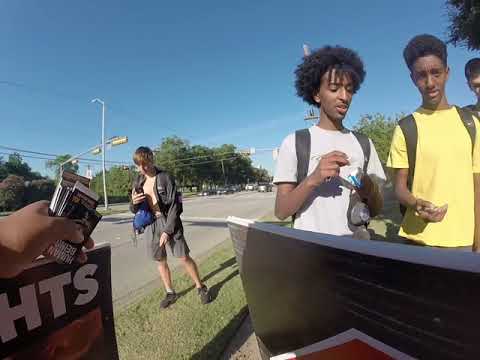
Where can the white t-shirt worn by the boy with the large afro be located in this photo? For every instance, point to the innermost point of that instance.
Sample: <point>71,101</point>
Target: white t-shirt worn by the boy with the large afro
<point>326,209</point>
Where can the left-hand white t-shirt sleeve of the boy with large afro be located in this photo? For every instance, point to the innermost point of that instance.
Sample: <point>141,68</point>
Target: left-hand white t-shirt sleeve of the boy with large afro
<point>286,167</point>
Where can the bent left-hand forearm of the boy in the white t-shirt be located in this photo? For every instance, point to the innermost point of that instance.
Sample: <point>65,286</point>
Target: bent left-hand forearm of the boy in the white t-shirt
<point>287,204</point>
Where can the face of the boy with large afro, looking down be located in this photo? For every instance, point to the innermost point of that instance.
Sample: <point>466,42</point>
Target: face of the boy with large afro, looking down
<point>335,94</point>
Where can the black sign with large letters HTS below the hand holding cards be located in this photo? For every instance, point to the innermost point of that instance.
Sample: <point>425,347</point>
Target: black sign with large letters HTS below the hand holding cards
<point>54,311</point>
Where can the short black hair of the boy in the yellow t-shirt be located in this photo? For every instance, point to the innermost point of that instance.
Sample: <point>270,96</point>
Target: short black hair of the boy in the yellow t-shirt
<point>424,45</point>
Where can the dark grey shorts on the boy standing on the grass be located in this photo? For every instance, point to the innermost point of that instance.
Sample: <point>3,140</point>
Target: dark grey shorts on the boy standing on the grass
<point>177,242</point>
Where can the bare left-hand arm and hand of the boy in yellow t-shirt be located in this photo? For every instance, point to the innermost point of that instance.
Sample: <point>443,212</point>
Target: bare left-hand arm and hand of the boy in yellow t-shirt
<point>425,209</point>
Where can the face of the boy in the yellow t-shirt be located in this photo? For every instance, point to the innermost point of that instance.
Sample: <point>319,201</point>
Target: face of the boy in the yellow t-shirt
<point>430,76</point>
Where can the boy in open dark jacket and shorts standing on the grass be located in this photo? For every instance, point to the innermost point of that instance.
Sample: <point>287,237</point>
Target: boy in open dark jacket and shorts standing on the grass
<point>155,191</point>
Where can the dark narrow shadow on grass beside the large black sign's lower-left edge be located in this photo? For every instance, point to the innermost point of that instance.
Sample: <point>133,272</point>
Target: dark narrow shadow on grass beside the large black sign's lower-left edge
<point>217,345</point>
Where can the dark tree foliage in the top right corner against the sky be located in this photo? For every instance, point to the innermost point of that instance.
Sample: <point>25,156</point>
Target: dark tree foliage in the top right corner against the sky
<point>464,25</point>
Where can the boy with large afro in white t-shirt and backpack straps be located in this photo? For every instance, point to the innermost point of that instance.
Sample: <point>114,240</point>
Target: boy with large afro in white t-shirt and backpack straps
<point>327,78</point>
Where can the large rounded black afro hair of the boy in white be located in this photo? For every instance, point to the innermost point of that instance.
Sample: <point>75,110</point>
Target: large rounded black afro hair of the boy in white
<point>309,73</point>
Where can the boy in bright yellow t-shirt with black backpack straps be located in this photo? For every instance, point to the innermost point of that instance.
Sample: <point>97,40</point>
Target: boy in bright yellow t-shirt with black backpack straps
<point>439,182</point>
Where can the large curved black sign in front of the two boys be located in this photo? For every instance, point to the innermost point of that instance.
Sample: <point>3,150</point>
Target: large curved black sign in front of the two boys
<point>405,301</point>
